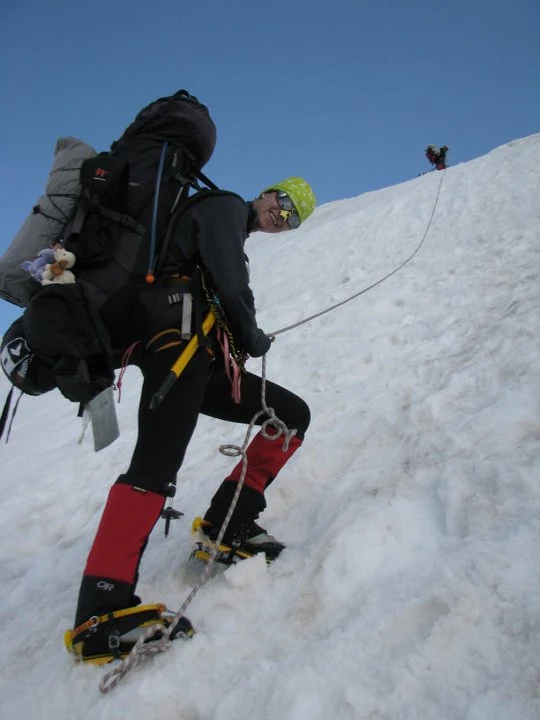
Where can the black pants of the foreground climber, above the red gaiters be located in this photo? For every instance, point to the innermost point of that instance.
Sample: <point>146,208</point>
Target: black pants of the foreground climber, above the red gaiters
<point>164,433</point>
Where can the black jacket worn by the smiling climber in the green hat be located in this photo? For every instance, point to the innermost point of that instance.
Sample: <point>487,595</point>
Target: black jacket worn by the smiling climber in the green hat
<point>211,231</point>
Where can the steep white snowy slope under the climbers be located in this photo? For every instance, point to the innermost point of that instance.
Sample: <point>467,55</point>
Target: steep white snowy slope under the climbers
<point>410,586</point>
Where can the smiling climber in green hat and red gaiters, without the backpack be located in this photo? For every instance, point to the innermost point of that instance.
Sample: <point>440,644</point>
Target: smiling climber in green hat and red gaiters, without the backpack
<point>149,327</point>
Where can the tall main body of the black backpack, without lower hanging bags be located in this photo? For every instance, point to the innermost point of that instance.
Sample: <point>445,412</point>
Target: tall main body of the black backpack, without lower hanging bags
<point>130,193</point>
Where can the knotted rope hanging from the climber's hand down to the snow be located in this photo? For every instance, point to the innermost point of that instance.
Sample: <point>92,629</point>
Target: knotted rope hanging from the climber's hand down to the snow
<point>142,649</point>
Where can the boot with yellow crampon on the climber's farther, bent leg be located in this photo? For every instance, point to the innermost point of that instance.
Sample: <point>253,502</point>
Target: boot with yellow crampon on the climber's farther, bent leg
<point>246,541</point>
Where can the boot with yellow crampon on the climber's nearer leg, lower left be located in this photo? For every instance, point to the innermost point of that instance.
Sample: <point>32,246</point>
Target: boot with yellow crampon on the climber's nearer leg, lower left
<point>112,636</point>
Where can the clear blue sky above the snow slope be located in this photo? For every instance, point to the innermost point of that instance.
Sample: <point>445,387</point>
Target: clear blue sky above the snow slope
<point>344,93</point>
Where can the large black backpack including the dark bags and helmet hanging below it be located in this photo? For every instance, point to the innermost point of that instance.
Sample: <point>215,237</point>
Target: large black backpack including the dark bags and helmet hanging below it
<point>117,230</point>
